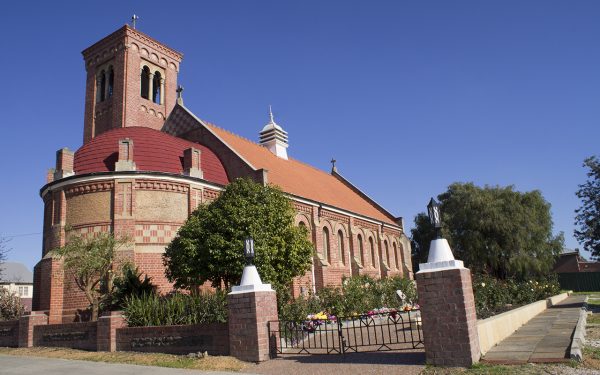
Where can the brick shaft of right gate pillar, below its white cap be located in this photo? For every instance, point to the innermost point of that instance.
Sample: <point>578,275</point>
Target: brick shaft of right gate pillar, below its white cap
<point>448,316</point>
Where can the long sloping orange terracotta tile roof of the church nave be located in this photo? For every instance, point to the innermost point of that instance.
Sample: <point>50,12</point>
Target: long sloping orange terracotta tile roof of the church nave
<point>301,179</point>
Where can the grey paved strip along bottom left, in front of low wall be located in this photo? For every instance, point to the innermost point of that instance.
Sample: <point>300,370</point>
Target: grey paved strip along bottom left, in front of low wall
<point>19,365</point>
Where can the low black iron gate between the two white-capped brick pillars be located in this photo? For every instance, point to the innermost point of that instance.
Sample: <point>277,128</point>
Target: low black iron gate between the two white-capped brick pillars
<point>364,333</point>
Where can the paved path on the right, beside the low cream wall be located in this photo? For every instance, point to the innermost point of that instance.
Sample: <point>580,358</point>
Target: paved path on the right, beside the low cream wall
<point>545,338</point>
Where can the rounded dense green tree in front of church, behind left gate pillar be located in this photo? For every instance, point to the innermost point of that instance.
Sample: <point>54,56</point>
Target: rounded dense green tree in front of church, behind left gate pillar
<point>209,246</point>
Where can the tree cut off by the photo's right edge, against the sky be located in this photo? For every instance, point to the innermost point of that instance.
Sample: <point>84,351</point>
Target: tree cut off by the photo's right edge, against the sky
<point>588,215</point>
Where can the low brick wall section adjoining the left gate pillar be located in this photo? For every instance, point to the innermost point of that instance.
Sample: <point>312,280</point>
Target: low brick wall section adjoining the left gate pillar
<point>183,339</point>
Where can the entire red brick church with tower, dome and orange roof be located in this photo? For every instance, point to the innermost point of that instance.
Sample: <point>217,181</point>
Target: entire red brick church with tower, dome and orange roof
<point>147,162</point>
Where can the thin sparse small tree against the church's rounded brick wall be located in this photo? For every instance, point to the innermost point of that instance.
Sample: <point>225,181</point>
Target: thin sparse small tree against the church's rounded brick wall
<point>89,261</point>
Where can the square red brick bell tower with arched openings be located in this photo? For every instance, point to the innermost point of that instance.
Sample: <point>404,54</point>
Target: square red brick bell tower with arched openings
<point>131,81</point>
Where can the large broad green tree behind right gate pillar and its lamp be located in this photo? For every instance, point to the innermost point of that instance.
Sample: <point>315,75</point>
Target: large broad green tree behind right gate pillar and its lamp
<point>494,230</point>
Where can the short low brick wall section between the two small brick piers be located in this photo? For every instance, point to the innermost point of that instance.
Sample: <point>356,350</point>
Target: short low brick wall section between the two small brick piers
<point>73,335</point>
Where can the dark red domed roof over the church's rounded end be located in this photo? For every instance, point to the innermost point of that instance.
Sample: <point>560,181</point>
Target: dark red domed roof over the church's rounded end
<point>153,151</point>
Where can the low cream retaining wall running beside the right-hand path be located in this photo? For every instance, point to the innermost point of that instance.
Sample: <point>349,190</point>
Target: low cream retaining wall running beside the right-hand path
<point>498,327</point>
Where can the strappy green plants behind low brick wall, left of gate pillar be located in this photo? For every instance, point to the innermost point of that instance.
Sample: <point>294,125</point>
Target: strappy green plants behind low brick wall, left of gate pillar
<point>176,309</point>
